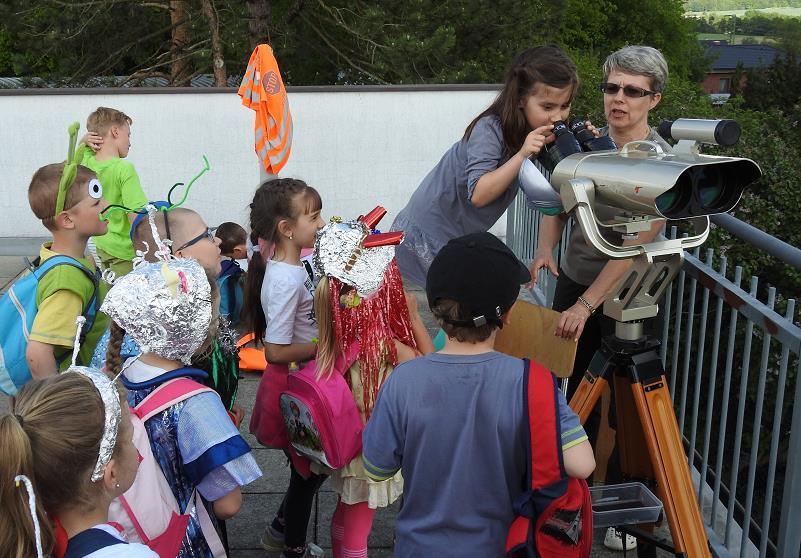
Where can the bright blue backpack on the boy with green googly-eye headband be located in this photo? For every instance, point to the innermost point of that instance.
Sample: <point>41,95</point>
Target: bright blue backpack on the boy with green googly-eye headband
<point>18,309</point>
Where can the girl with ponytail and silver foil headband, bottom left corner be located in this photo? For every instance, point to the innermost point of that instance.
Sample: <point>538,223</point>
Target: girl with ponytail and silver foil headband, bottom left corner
<point>67,453</point>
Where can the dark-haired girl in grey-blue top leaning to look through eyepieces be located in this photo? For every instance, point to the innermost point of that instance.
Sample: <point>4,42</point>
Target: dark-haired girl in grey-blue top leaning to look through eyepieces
<point>476,180</point>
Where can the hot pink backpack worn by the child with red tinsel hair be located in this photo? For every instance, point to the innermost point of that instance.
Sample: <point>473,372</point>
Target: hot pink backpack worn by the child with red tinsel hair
<point>321,416</point>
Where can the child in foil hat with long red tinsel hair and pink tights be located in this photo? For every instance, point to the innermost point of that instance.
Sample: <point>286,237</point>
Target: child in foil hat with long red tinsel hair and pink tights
<point>360,299</point>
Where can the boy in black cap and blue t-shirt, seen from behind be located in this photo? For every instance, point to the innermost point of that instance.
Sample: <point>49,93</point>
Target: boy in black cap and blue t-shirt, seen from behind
<point>454,421</point>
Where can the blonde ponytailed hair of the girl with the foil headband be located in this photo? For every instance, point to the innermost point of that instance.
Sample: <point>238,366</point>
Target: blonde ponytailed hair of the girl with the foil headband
<point>52,437</point>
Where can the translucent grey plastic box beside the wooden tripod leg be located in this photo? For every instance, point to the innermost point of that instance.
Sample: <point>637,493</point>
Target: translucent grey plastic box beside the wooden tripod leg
<point>624,504</point>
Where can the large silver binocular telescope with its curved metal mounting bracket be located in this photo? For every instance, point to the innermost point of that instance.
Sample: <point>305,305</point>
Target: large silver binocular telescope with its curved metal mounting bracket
<point>642,183</point>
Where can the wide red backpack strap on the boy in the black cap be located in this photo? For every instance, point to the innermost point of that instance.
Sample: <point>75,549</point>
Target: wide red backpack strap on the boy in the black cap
<point>541,401</point>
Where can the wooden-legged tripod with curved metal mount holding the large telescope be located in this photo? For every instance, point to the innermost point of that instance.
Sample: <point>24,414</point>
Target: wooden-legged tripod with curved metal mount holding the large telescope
<point>647,434</point>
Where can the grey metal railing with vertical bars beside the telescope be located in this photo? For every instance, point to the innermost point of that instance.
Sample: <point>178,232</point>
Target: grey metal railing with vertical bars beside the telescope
<point>732,361</point>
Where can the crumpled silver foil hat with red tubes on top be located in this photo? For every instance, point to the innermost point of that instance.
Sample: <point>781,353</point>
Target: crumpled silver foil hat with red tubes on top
<point>355,253</point>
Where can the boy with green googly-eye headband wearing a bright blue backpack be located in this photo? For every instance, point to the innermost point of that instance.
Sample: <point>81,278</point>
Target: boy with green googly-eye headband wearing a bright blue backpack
<point>38,313</point>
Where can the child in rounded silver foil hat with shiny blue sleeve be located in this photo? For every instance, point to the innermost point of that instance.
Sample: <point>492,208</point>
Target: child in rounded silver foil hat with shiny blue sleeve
<point>167,308</point>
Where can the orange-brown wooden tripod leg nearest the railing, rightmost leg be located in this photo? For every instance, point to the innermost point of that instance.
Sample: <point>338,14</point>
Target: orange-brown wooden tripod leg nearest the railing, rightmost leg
<point>674,484</point>
